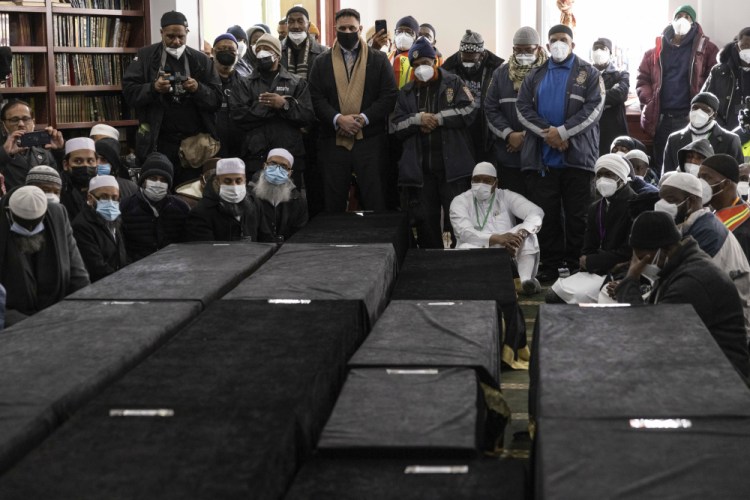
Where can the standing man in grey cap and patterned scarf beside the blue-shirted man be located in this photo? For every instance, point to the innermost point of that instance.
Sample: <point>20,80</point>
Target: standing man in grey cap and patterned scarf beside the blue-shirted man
<point>500,107</point>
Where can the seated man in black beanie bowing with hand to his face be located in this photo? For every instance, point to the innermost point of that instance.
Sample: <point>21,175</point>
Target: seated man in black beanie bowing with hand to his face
<point>686,275</point>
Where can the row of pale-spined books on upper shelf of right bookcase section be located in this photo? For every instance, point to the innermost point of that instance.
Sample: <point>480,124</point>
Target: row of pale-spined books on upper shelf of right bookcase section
<point>90,31</point>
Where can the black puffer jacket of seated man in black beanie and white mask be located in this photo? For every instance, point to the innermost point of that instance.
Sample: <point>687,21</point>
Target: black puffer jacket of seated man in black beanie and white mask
<point>145,231</point>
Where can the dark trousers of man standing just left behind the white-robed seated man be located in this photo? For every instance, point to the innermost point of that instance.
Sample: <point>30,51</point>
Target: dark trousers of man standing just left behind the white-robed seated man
<point>435,198</point>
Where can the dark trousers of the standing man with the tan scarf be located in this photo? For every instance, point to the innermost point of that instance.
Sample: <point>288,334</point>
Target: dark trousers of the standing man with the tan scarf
<point>366,160</point>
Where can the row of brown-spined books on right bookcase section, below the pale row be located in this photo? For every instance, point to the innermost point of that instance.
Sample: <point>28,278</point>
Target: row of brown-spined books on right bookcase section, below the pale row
<point>91,69</point>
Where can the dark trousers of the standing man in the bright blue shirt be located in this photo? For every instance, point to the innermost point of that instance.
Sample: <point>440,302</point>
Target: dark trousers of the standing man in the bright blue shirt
<point>564,194</point>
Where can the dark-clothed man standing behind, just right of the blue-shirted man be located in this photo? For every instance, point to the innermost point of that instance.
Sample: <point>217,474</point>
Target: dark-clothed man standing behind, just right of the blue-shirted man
<point>617,84</point>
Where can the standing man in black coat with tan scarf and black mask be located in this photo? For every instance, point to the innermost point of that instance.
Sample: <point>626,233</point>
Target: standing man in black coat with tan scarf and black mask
<point>353,92</point>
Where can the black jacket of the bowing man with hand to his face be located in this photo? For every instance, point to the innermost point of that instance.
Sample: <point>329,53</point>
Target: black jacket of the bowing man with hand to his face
<point>691,277</point>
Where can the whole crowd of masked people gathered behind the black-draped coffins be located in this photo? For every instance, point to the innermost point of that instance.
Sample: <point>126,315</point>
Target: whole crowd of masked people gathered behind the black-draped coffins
<point>249,138</point>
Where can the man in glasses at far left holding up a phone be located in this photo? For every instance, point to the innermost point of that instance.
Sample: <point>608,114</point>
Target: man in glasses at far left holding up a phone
<point>24,148</point>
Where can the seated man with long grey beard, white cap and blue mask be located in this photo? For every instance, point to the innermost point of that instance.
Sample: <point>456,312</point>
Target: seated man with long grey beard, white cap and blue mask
<point>283,210</point>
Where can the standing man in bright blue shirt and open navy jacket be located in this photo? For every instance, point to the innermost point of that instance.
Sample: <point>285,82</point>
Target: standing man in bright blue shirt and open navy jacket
<point>560,104</point>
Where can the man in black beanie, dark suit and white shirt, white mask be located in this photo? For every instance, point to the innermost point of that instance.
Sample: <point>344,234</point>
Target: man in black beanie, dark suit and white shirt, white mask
<point>702,125</point>
